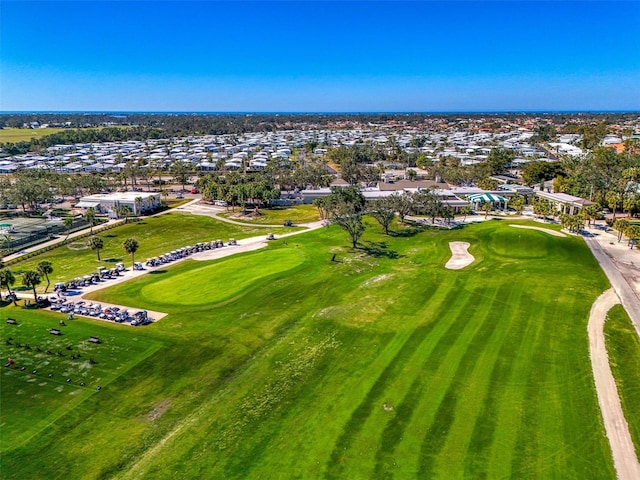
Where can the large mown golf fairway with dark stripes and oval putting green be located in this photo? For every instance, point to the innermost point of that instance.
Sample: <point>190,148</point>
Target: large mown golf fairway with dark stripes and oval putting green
<point>279,363</point>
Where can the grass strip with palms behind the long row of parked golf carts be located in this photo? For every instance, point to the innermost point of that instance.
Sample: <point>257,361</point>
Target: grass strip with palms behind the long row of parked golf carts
<point>155,235</point>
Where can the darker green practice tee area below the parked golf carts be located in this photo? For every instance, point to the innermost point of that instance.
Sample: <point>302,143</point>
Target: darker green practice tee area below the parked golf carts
<point>70,369</point>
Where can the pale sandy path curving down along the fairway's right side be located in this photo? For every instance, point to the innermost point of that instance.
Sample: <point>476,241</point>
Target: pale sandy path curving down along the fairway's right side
<point>624,455</point>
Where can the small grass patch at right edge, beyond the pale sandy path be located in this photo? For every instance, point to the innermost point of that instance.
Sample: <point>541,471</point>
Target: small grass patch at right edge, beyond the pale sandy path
<point>623,348</point>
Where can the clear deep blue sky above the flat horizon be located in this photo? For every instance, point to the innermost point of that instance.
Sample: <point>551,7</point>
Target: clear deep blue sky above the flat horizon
<point>320,56</point>
